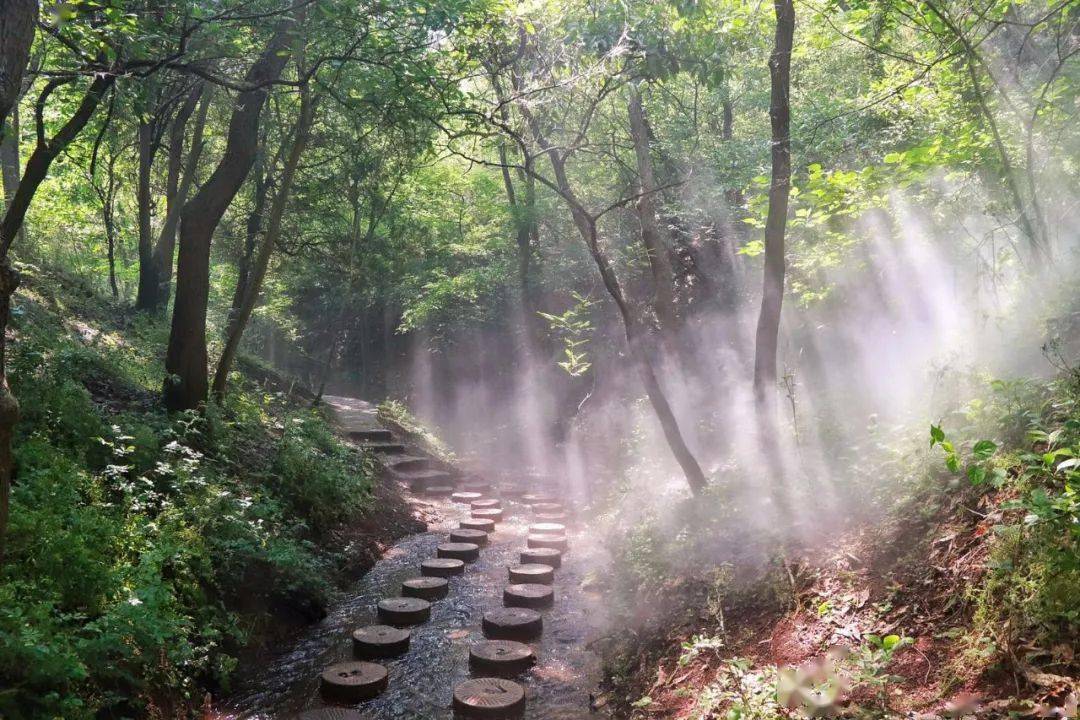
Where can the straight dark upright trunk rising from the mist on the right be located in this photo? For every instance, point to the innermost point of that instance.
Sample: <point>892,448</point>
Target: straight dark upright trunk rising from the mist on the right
<point>773,288</point>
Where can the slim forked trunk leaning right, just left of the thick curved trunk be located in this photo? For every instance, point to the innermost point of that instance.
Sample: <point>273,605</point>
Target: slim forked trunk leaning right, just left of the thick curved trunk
<point>164,250</point>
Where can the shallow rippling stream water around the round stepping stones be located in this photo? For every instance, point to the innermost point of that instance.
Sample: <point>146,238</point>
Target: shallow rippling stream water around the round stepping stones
<point>423,682</point>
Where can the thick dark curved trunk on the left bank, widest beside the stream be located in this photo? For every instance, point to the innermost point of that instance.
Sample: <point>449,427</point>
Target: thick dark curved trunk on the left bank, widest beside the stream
<point>186,384</point>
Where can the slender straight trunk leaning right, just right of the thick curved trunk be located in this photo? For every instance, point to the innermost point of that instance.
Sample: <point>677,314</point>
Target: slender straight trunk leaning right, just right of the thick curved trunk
<point>262,261</point>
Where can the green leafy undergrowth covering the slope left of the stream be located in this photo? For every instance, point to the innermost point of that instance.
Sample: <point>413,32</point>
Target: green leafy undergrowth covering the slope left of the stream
<point>144,550</point>
